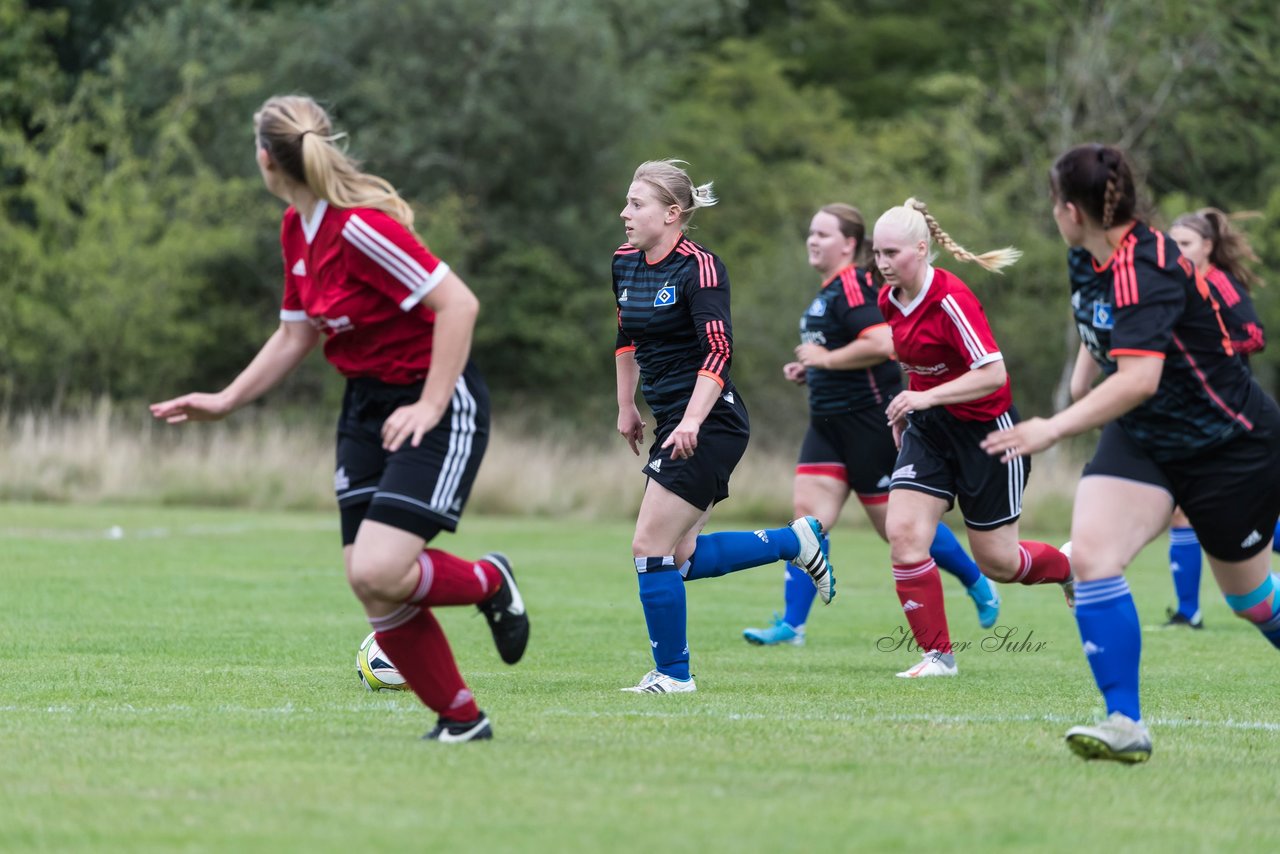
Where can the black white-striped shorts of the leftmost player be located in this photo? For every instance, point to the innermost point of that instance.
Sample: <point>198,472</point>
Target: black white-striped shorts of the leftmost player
<point>422,490</point>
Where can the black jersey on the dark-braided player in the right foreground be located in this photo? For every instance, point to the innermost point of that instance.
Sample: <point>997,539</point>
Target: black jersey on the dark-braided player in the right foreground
<point>1148,300</point>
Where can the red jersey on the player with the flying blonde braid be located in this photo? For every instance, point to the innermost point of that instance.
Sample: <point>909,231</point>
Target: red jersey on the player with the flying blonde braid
<point>943,335</point>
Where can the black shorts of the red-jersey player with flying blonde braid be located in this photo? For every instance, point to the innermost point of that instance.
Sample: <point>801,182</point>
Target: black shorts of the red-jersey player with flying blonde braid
<point>941,456</point>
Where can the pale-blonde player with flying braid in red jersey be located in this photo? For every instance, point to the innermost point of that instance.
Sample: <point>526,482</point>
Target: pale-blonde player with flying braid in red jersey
<point>958,392</point>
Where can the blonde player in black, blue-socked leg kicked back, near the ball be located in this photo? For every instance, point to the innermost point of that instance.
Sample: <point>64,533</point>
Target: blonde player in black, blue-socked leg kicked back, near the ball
<point>676,340</point>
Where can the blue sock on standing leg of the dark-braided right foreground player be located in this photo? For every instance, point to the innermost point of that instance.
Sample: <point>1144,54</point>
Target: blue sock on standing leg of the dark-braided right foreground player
<point>1113,641</point>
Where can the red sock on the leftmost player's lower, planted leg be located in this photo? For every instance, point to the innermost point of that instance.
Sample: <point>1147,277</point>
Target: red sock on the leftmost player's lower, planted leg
<point>422,654</point>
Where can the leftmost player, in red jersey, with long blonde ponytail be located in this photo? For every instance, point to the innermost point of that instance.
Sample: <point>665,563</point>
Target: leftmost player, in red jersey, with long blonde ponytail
<point>397,323</point>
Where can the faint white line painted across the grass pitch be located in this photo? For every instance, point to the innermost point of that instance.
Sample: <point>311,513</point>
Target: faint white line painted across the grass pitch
<point>396,706</point>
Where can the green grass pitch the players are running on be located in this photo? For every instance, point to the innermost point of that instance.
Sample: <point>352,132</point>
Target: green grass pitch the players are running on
<point>190,687</point>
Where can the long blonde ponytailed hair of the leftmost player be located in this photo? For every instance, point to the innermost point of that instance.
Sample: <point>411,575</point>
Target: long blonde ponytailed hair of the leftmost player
<point>298,134</point>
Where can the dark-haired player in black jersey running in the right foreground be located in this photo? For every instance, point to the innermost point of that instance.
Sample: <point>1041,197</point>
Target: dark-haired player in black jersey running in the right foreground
<point>1183,423</point>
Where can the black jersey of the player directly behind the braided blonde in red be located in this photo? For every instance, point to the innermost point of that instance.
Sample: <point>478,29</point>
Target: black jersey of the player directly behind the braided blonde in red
<point>844,310</point>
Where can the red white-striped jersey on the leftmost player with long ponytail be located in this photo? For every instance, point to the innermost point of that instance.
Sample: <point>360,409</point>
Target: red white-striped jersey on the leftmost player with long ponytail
<point>360,277</point>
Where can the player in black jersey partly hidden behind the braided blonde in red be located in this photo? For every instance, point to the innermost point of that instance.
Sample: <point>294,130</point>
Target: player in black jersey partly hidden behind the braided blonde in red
<point>847,360</point>
